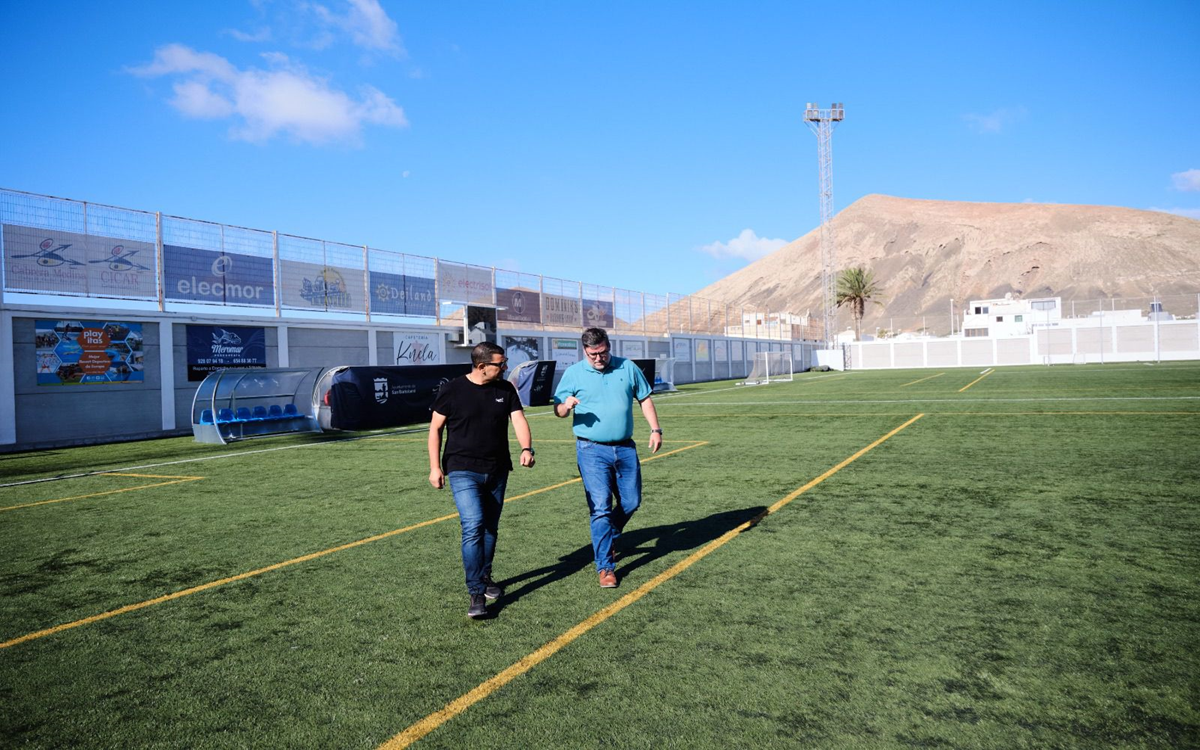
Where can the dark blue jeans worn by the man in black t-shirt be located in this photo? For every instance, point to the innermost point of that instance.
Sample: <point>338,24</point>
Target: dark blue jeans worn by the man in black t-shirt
<point>481,500</point>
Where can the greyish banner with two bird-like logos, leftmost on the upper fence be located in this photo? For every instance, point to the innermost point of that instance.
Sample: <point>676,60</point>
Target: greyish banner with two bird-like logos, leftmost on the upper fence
<point>69,263</point>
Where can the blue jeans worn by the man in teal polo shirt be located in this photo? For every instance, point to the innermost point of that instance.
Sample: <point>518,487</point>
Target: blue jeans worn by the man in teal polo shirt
<point>610,473</point>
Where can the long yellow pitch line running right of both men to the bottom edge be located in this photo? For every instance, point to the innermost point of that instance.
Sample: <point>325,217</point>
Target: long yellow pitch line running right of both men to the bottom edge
<point>460,705</point>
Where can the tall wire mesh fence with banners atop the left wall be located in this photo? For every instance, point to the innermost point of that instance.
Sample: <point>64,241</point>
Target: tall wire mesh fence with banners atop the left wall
<point>63,248</point>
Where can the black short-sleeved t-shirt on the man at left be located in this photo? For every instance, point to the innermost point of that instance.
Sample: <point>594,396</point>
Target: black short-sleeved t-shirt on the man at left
<point>477,425</point>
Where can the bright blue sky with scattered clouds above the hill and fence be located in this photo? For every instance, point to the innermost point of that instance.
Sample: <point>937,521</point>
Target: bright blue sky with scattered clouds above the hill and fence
<point>647,146</point>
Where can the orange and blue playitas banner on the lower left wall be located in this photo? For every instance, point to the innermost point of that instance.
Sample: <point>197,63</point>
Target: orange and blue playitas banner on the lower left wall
<point>88,352</point>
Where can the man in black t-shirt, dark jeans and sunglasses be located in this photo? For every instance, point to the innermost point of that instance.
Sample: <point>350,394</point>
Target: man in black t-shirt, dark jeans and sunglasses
<point>476,410</point>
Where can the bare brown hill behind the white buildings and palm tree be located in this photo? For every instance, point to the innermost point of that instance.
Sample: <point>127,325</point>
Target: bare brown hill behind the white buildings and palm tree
<point>925,253</point>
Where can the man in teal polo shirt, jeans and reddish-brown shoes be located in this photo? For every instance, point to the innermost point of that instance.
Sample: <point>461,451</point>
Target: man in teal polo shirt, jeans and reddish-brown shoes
<point>601,391</point>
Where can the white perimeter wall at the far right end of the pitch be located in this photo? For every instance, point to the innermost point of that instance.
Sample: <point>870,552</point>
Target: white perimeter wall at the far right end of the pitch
<point>1154,341</point>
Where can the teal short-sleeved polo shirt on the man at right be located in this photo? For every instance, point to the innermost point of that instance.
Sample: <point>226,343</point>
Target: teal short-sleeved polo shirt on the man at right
<point>605,412</point>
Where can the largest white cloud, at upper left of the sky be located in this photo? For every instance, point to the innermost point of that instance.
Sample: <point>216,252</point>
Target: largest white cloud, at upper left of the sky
<point>283,100</point>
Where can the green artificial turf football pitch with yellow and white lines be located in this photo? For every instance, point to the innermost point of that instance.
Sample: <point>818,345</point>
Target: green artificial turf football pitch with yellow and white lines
<point>1018,567</point>
